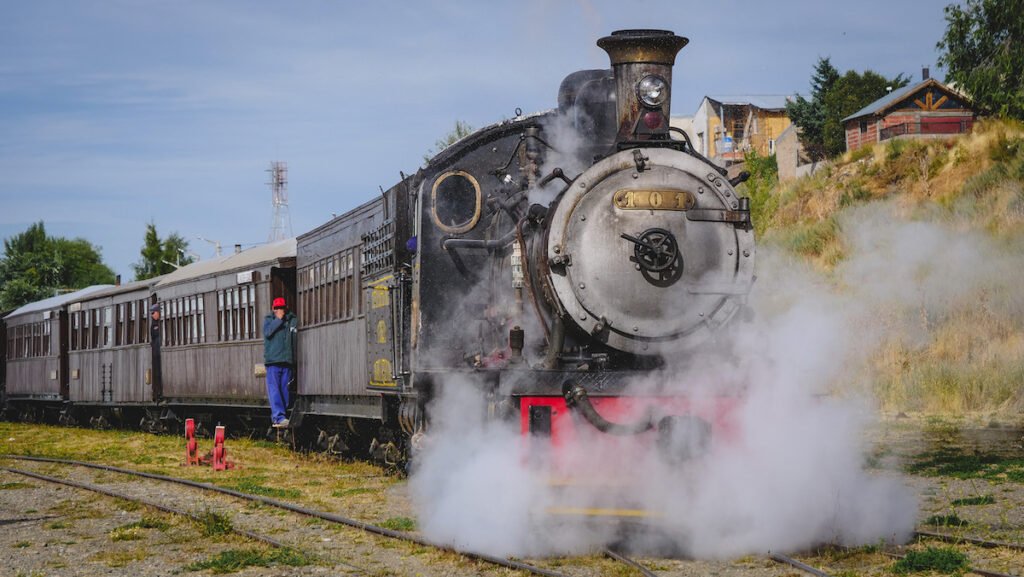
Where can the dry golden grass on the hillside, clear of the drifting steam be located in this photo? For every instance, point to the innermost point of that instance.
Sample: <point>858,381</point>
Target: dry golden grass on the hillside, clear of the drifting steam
<point>969,357</point>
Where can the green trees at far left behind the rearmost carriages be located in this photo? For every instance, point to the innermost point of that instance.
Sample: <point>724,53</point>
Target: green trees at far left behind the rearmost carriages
<point>36,267</point>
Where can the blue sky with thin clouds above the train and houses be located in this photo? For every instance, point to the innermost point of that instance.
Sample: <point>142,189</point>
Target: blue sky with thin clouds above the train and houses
<point>120,113</point>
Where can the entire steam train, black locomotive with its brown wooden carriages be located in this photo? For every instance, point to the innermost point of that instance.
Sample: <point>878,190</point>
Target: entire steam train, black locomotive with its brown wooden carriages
<point>551,263</point>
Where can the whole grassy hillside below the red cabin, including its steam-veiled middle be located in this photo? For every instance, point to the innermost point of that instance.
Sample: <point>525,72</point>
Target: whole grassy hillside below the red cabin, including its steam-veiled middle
<point>926,240</point>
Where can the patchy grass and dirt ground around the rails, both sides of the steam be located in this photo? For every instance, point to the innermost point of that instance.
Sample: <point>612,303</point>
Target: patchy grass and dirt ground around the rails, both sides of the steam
<point>970,477</point>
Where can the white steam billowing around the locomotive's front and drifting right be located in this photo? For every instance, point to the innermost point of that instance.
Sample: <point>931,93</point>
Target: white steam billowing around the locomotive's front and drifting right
<point>788,471</point>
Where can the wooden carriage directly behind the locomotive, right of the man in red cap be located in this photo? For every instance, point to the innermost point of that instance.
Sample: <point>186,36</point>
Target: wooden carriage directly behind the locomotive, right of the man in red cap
<point>346,333</point>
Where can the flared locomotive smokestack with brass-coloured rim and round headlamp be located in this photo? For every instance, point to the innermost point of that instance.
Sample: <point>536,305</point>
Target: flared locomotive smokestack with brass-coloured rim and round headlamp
<point>643,56</point>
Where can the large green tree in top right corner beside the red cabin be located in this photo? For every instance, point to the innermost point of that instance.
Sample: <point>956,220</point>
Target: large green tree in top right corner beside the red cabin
<point>984,53</point>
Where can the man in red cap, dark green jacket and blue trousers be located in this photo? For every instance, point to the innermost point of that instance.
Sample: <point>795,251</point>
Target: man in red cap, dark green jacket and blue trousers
<point>280,329</point>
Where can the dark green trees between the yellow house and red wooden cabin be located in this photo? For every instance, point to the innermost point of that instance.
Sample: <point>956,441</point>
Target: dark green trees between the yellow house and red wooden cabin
<point>835,97</point>
